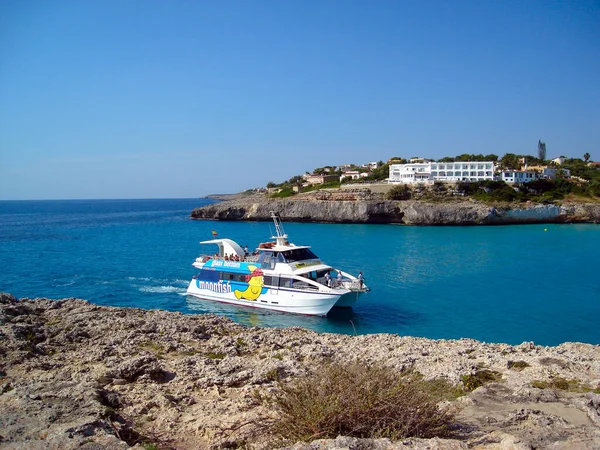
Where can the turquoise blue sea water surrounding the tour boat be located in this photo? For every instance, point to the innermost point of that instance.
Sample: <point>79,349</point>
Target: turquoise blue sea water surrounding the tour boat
<point>509,284</point>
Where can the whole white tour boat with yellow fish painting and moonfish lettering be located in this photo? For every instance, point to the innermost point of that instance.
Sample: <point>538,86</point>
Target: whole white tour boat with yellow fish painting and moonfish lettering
<point>279,276</point>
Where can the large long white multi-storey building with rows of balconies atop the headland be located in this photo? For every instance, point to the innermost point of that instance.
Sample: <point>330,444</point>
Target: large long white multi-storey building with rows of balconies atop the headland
<point>435,171</point>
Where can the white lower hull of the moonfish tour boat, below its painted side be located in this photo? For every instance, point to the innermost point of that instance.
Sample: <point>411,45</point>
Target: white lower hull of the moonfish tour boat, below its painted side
<point>283,300</point>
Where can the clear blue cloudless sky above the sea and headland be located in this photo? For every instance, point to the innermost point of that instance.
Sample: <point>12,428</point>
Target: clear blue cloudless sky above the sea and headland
<point>158,99</point>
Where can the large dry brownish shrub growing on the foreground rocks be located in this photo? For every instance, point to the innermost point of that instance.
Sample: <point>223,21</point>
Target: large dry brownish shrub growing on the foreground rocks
<point>356,400</point>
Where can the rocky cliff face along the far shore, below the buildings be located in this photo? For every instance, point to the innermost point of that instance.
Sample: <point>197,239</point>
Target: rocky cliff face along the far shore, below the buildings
<point>363,207</point>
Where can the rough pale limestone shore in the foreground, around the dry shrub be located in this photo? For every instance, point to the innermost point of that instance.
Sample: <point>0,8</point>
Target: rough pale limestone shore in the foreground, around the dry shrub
<point>77,375</point>
